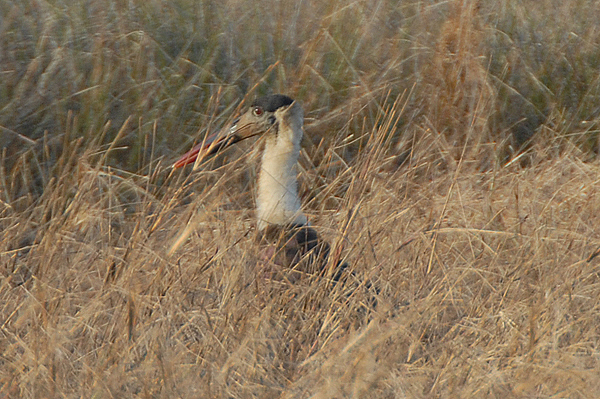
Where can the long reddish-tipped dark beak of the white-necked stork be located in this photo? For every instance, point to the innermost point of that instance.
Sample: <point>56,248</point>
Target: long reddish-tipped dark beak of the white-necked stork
<point>214,143</point>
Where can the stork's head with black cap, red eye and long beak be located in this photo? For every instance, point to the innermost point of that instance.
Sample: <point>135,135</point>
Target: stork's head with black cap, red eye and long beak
<point>276,116</point>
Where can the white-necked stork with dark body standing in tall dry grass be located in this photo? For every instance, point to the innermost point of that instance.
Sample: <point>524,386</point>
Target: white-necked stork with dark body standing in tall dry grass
<point>278,119</point>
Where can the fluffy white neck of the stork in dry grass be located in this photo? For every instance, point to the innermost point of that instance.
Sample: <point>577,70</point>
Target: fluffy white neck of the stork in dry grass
<point>277,198</point>
